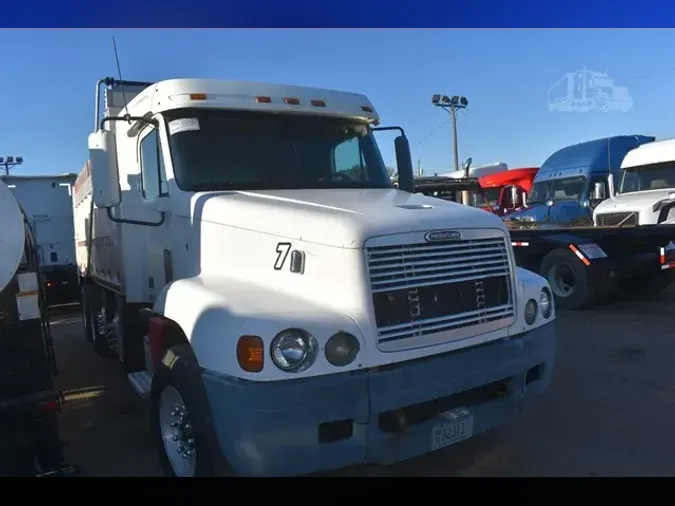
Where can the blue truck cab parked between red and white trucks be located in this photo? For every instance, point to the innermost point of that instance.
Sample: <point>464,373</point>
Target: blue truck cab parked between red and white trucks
<point>573,180</point>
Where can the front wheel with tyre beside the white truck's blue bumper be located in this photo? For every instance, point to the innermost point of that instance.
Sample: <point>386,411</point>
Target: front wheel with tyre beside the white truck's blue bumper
<point>180,414</point>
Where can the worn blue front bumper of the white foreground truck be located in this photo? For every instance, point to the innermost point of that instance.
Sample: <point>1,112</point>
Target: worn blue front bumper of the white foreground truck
<point>316,424</point>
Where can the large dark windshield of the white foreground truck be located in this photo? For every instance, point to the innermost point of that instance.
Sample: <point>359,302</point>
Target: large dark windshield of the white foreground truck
<point>235,150</point>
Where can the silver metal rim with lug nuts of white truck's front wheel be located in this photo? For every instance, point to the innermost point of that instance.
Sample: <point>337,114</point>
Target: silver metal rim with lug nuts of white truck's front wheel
<point>177,435</point>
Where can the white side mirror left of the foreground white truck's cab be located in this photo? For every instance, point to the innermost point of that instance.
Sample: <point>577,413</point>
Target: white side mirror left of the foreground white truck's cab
<point>103,166</point>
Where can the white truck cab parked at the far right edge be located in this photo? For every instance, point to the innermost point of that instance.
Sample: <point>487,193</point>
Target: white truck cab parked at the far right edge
<point>645,188</point>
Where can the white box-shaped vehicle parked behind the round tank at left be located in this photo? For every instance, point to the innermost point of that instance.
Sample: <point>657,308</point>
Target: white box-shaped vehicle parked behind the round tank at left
<point>47,201</point>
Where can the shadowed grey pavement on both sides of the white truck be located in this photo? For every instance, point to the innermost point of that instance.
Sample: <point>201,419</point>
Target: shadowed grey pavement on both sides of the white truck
<point>609,411</point>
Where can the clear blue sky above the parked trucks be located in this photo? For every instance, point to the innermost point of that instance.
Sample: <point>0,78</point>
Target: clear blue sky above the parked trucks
<point>47,93</point>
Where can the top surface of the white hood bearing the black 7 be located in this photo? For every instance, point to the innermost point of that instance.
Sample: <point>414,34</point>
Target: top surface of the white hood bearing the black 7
<point>336,217</point>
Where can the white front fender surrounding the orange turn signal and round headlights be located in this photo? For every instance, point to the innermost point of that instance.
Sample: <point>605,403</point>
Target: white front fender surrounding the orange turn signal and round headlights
<point>214,313</point>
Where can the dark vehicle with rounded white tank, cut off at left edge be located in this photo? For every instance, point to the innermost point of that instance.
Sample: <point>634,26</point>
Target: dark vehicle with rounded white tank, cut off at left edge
<point>29,399</point>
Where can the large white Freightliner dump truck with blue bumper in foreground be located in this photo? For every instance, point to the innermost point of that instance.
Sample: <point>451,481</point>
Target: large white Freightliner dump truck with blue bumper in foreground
<point>286,310</point>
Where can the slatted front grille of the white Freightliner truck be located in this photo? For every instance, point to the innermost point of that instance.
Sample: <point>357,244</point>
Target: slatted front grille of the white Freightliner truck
<point>423,289</point>
